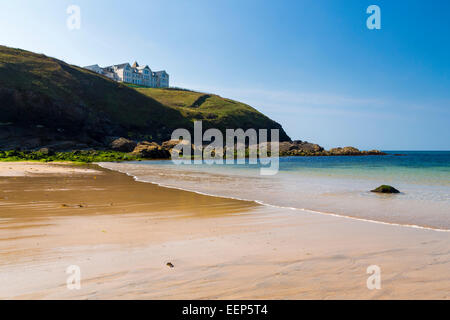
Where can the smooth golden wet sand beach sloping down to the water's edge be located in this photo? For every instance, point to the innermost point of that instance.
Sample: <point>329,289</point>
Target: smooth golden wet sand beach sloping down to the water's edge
<point>122,233</point>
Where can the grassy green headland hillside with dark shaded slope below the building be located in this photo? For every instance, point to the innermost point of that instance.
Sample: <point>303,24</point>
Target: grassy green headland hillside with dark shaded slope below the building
<point>45,101</point>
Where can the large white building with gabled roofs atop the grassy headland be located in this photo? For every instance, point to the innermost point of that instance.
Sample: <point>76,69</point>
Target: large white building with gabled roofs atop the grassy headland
<point>134,74</point>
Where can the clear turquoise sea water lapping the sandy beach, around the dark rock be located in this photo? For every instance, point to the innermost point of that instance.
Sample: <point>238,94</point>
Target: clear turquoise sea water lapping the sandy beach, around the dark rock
<point>335,185</point>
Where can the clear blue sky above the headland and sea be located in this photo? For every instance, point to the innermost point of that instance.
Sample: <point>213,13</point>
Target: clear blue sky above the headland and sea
<point>311,65</point>
